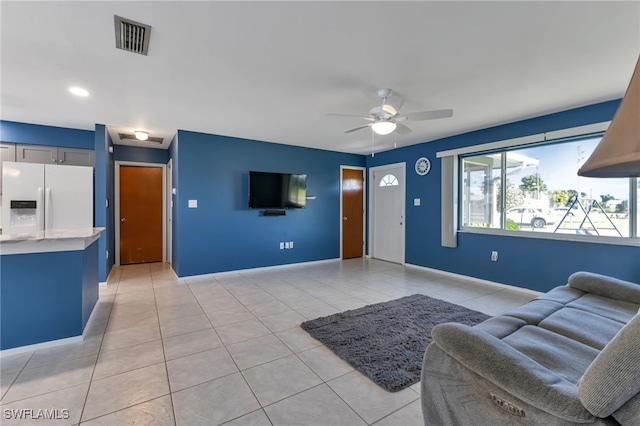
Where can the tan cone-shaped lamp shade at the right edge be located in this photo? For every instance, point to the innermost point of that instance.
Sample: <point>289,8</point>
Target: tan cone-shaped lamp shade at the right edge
<point>618,153</point>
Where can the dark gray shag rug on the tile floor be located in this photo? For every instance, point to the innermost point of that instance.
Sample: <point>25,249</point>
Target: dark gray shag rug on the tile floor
<point>386,341</point>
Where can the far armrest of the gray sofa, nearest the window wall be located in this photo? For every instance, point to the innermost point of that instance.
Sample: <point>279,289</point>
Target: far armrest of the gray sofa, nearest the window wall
<point>602,285</point>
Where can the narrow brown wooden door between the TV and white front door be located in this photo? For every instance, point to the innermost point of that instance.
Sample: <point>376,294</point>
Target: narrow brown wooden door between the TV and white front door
<point>352,213</point>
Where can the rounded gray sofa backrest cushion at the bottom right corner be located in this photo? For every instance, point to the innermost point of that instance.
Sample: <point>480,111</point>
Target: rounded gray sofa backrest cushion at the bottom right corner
<point>613,378</point>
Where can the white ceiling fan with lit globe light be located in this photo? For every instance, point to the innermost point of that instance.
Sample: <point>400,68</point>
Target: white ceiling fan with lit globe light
<point>385,119</point>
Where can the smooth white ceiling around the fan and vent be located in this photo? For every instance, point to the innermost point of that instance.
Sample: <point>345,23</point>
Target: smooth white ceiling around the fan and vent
<point>272,70</point>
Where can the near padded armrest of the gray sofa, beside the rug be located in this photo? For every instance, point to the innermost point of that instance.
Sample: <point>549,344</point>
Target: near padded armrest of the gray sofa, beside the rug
<point>512,371</point>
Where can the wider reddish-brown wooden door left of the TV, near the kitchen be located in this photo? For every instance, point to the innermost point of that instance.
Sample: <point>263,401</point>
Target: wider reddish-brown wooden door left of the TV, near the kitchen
<point>140,214</point>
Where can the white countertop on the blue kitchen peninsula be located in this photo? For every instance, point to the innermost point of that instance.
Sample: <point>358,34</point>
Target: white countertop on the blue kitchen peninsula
<point>49,241</point>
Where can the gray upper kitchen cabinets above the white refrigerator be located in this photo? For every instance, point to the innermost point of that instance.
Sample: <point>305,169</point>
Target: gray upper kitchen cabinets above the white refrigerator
<point>54,155</point>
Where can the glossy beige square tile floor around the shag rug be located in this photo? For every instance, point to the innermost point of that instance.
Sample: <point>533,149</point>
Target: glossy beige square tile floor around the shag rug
<point>227,350</point>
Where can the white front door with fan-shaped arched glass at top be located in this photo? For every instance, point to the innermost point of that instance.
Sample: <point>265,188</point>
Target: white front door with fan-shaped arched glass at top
<point>388,212</point>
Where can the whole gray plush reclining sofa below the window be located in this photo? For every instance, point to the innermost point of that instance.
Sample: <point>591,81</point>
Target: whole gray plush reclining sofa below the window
<point>571,356</point>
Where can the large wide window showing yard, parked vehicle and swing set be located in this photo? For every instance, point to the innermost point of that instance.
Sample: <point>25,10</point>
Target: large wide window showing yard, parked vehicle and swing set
<point>543,192</point>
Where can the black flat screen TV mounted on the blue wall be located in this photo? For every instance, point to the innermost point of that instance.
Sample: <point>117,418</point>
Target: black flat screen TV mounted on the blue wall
<point>277,190</point>
